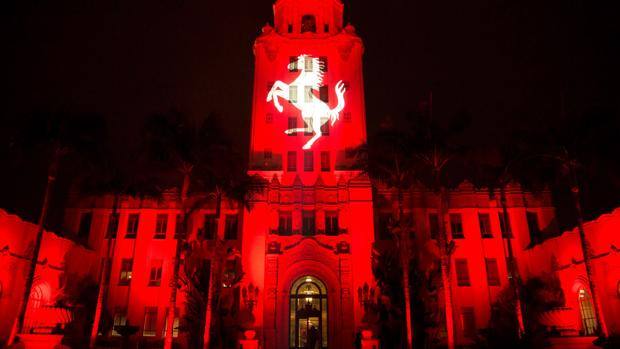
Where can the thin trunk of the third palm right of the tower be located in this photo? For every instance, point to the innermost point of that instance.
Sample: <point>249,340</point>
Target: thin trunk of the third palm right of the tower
<point>514,277</point>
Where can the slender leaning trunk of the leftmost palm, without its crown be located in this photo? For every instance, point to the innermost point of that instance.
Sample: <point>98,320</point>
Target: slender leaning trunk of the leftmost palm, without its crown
<point>23,307</point>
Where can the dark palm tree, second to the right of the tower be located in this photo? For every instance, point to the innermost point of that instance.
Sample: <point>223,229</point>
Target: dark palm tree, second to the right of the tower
<point>437,159</point>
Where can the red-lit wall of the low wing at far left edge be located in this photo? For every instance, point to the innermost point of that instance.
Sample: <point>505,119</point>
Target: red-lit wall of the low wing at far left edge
<point>57,259</point>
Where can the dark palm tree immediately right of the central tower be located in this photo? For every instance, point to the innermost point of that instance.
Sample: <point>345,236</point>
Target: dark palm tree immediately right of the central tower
<point>387,160</point>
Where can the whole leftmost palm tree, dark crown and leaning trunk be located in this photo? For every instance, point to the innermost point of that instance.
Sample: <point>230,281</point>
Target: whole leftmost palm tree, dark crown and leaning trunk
<point>59,135</point>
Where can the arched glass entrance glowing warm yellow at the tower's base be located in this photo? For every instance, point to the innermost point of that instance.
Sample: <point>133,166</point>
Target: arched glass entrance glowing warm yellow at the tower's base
<point>308,314</point>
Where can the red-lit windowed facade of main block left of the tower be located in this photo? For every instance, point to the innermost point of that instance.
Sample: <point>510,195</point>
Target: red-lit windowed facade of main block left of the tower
<point>133,298</point>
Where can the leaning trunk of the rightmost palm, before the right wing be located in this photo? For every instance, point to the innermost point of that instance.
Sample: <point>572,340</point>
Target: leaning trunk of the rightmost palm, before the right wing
<point>587,259</point>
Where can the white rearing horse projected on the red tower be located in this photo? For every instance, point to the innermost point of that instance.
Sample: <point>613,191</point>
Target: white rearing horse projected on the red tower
<point>312,108</point>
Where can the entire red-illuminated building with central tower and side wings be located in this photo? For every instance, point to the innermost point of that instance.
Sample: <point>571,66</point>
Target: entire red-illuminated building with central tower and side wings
<point>304,250</point>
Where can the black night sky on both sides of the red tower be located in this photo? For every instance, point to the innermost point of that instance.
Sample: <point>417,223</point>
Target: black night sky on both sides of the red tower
<point>508,63</point>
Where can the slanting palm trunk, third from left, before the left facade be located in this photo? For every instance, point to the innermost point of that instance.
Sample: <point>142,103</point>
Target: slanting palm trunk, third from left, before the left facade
<point>174,282</point>
